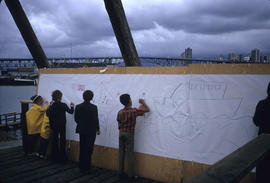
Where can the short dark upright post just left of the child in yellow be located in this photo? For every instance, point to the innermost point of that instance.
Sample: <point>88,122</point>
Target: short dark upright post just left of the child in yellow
<point>24,109</point>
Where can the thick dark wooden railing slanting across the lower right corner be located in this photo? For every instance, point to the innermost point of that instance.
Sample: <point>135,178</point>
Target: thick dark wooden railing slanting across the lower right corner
<point>236,165</point>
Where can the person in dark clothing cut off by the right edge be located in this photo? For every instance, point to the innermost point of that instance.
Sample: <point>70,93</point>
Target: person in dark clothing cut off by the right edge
<point>262,120</point>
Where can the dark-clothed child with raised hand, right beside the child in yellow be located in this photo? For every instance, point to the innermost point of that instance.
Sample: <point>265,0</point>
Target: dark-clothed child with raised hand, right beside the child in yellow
<point>57,118</point>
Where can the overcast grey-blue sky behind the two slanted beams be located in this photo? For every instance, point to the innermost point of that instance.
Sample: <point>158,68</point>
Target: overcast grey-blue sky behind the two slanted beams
<point>160,28</point>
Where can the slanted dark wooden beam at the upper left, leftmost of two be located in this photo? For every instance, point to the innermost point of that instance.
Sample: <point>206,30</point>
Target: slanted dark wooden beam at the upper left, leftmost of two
<point>27,33</point>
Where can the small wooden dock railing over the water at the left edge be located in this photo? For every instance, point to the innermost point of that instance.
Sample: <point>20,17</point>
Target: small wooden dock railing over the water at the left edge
<point>10,120</point>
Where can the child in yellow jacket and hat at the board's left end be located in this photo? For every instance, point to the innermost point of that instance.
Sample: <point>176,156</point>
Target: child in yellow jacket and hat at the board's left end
<point>34,120</point>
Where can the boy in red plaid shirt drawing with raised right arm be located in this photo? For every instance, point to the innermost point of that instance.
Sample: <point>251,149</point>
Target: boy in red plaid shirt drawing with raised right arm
<point>126,118</point>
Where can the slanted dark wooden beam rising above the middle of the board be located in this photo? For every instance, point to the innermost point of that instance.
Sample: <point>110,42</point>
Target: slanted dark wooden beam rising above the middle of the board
<point>122,32</point>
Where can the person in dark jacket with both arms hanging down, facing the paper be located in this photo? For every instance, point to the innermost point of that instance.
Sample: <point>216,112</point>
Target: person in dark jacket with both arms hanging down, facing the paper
<point>86,117</point>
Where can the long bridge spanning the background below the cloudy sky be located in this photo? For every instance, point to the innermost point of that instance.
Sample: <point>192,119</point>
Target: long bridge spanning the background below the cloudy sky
<point>119,61</point>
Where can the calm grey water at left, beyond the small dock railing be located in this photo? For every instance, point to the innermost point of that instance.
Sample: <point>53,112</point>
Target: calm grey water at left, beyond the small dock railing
<point>10,97</point>
